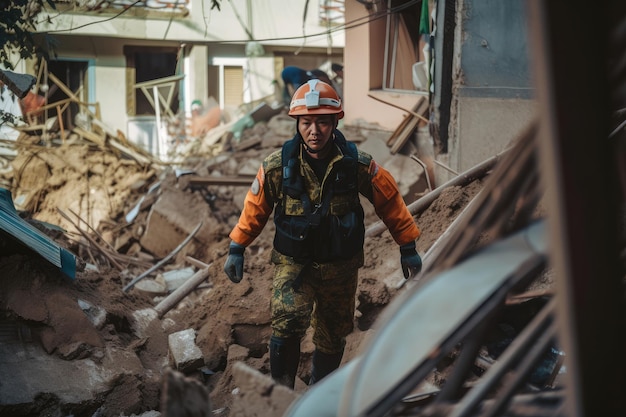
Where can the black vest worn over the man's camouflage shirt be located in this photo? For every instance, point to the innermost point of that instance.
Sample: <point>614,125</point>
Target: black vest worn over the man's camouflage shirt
<point>333,228</point>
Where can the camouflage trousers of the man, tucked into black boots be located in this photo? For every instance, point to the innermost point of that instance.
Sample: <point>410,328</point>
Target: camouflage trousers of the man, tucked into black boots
<point>324,298</point>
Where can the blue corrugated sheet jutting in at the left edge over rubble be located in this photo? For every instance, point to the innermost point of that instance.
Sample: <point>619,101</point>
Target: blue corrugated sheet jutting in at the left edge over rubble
<point>18,228</point>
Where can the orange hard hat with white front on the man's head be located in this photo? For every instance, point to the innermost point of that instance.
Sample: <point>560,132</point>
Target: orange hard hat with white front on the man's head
<point>315,97</point>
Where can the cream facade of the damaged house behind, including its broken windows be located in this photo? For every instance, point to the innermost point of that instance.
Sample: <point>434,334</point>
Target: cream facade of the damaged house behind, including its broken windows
<point>143,62</point>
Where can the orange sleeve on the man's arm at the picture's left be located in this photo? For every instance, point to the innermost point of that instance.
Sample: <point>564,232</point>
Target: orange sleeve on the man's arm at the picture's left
<point>256,211</point>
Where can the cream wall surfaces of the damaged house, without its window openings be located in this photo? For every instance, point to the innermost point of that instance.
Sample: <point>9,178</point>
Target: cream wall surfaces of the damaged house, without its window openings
<point>207,33</point>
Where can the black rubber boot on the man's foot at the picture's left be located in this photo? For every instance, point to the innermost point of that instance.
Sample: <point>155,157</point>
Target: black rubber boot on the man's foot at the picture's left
<point>284,359</point>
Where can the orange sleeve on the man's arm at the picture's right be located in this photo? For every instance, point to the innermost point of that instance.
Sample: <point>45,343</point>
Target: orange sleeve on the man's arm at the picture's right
<point>390,207</point>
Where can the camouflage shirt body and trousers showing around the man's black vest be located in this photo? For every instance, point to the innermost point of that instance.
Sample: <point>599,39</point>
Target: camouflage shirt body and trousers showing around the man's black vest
<point>324,293</point>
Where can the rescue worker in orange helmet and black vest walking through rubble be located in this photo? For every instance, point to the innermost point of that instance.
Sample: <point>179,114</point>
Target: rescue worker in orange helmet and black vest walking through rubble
<point>312,185</point>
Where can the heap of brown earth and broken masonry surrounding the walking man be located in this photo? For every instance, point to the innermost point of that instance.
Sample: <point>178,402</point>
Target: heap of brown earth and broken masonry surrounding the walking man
<point>124,337</point>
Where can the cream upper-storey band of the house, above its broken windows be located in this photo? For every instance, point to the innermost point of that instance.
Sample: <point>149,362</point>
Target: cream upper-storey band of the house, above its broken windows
<point>274,22</point>
